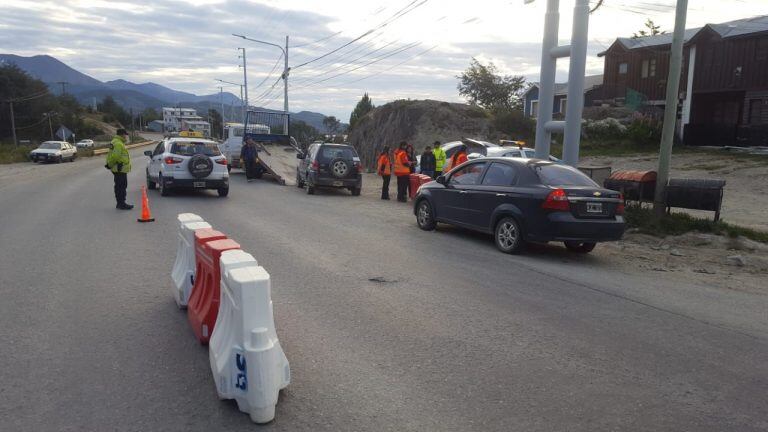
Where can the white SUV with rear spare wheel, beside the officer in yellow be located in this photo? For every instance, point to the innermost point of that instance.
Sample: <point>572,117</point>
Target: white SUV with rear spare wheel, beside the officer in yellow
<point>187,162</point>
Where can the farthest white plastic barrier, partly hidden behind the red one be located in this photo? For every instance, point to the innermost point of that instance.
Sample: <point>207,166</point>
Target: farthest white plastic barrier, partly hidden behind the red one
<point>184,268</point>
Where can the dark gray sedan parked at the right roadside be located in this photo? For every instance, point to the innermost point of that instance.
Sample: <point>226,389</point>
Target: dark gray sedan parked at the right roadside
<point>523,200</point>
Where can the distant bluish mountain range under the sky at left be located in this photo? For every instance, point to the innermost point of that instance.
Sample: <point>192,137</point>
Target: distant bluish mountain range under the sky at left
<point>129,95</point>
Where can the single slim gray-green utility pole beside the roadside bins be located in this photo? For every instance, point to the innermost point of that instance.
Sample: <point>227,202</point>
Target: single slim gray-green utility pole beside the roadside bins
<point>670,109</point>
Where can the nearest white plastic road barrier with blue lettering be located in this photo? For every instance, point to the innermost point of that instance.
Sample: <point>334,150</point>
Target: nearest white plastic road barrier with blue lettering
<point>247,361</point>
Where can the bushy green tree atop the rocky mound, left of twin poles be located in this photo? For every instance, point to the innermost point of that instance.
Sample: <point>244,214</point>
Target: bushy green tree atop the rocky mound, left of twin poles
<point>481,85</point>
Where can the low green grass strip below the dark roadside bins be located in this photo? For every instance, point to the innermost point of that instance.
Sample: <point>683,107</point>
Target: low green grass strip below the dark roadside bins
<point>681,223</point>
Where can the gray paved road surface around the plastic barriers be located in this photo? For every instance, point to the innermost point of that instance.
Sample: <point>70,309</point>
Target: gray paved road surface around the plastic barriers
<point>457,337</point>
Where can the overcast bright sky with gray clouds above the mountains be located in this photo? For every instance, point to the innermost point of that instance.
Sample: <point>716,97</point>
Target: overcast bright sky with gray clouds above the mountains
<point>185,45</point>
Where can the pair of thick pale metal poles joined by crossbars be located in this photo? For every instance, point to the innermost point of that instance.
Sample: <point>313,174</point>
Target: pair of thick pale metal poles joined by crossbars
<point>550,52</point>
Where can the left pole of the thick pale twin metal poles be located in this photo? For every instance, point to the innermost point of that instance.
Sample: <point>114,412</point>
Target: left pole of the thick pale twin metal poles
<point>547,78</point>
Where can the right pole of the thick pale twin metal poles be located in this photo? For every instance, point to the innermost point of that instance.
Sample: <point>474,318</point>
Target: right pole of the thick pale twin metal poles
<point>575,102</point>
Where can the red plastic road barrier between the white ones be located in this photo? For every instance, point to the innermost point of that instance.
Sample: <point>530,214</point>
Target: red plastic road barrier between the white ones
<point>204,301</point>
